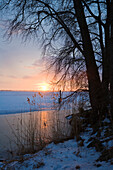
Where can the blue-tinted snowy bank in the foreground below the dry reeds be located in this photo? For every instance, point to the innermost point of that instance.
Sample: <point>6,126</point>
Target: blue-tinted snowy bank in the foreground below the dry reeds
<point>62,156</point>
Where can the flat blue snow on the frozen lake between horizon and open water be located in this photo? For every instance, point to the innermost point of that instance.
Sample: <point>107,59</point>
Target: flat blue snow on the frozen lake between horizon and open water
<point>18,101</point>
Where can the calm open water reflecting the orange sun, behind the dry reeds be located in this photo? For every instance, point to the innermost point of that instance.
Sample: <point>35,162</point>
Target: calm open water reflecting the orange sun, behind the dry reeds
<point>45,125</point>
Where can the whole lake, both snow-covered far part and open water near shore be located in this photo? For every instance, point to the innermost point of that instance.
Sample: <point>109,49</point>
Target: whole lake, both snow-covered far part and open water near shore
<point>29,119</point>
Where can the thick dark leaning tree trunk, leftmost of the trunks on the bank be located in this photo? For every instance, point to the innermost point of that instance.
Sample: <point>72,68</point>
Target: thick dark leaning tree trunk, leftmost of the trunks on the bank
<point>95,86</point>
